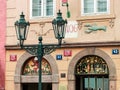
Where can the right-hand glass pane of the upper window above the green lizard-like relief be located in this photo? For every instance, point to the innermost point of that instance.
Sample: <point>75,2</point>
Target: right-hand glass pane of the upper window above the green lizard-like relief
<point>102,5</point>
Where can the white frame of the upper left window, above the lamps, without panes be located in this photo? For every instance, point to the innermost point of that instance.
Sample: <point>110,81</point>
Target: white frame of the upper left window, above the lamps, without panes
<point>43,13</point>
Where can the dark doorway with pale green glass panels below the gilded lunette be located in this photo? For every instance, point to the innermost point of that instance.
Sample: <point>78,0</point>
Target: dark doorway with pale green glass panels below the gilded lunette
<point>92,82</point>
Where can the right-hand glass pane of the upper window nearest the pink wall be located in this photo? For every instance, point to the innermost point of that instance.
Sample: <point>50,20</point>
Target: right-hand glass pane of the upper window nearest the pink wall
<point>49,7</point>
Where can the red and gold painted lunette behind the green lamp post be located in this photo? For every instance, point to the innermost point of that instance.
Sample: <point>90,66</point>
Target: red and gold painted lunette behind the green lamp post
<point>31,67</point>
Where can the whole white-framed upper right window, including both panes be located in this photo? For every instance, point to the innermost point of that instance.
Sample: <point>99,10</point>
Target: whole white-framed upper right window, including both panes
<point>90,7</point>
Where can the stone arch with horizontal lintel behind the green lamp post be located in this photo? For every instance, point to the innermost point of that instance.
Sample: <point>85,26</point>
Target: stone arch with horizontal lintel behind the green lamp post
<point>19,78</point>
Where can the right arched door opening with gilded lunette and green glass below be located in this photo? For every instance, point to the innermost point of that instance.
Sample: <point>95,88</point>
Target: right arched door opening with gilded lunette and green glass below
<point>91,73</point>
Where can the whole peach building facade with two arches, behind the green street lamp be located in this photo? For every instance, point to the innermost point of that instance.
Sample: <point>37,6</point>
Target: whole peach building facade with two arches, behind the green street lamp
<point>89,56</point>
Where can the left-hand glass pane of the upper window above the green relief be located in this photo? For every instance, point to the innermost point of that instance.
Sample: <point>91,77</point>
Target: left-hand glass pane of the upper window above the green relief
<point>88,6</point>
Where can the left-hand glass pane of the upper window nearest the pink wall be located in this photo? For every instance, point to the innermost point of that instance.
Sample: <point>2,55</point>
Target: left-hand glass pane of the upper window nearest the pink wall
<point>36,7</point>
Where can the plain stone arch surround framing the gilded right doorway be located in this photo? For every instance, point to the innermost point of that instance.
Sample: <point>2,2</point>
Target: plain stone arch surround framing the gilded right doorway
<point>91,51</point>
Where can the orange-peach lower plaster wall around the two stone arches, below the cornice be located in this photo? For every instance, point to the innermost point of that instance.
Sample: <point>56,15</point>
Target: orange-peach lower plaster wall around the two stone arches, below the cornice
<point>63,65</point>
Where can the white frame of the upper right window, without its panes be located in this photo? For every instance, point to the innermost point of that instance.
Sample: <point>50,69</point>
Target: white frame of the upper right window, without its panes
<point>95,9</point>
